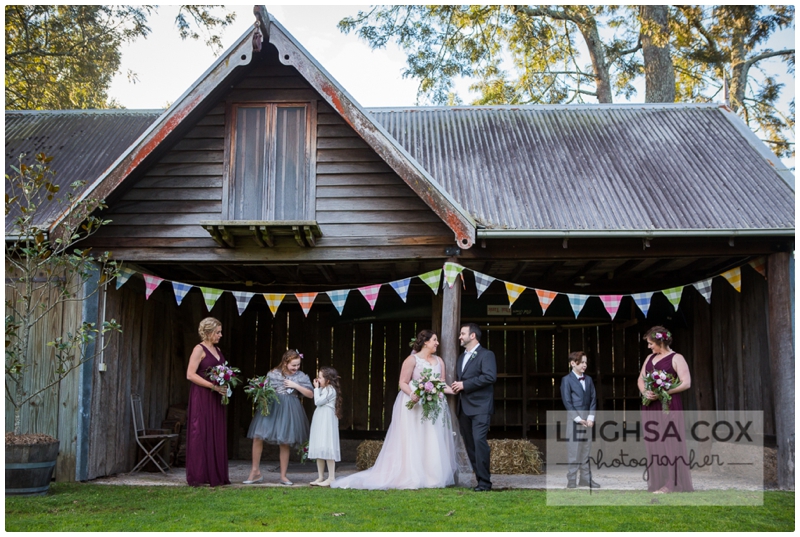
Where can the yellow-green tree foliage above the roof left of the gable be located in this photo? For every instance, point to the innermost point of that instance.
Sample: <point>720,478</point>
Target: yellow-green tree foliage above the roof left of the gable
<point>64,57</point>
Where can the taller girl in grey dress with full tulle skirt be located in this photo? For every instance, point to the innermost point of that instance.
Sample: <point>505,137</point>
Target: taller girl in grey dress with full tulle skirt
<point>286,424</point>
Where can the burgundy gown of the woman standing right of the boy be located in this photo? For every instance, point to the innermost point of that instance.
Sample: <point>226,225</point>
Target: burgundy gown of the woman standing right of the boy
<point>668,456</point>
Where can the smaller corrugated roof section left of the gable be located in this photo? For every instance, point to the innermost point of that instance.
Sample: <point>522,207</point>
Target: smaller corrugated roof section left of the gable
<point>83,143</point>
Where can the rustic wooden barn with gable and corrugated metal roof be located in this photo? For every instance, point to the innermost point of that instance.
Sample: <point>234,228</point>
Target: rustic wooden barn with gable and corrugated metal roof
<point>266,177</point>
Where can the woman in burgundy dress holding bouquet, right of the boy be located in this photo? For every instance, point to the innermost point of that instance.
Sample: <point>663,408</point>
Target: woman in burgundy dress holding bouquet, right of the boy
<point>668,456</point>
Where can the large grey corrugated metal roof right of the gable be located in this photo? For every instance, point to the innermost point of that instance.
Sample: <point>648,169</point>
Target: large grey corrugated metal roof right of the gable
<point>598,167</point>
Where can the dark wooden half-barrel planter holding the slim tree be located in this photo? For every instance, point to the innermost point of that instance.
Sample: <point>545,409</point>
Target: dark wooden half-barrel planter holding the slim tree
<point>29,468</point>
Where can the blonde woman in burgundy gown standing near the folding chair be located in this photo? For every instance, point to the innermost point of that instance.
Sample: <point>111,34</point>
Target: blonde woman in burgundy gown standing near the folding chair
<point>206,442</point>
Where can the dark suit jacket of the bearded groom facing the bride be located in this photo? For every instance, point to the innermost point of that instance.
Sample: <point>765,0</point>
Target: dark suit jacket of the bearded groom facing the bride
<point>478,377</point>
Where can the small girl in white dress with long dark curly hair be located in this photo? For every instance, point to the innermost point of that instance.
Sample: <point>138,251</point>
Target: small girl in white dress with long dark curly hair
<point>323,442</point>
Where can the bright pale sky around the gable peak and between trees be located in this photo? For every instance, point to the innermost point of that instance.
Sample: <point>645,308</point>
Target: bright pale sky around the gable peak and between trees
<point>166,66</point>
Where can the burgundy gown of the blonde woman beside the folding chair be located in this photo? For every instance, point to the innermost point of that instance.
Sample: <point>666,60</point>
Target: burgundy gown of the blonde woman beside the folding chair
<point>206,442</point>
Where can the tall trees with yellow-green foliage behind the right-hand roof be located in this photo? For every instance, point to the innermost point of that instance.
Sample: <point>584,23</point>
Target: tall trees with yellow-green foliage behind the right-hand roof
<point>565,54</point>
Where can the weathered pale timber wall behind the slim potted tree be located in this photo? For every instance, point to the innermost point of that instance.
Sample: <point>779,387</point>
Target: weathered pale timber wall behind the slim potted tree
<point>55,410</point>
